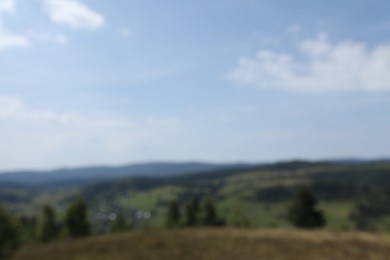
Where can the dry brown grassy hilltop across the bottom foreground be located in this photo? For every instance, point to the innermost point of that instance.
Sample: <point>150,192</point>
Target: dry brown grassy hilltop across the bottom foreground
<point>218,244</point>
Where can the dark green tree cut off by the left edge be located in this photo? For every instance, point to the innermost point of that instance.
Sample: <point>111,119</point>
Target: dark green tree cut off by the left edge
<point>9,234</point>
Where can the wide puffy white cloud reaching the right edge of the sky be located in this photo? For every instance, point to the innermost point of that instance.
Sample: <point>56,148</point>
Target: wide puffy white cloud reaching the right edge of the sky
<point>319,66</point>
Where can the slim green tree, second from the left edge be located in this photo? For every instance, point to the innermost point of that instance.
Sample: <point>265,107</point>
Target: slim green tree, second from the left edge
<point>47,225</point>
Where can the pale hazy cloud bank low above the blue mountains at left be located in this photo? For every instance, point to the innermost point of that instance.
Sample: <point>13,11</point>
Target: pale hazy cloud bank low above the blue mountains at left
<point>74,138</point>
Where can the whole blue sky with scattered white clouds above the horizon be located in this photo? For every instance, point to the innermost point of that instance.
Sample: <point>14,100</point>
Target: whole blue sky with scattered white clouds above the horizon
<point>93,82</point>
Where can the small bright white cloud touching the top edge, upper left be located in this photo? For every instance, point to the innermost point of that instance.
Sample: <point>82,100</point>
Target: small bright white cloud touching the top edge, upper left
<point>73,13</point>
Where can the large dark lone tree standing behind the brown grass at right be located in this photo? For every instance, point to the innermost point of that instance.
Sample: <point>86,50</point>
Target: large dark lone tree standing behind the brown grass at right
<point>303,213</point>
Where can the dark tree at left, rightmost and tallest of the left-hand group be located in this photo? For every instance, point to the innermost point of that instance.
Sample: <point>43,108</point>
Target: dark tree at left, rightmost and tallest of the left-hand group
<point>76,222</point>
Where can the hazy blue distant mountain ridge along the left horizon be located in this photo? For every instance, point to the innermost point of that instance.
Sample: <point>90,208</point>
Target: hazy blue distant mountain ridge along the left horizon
<point>65,178</point>
